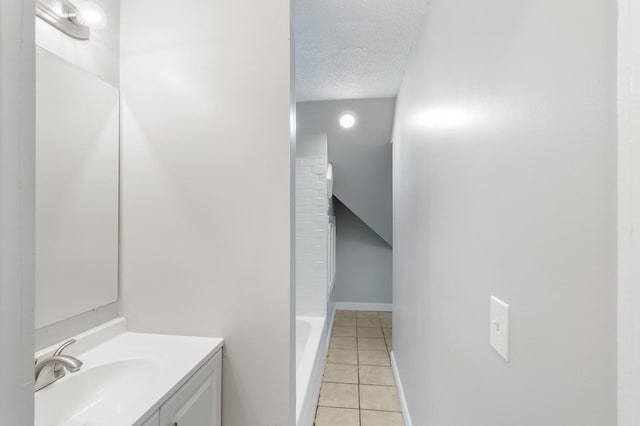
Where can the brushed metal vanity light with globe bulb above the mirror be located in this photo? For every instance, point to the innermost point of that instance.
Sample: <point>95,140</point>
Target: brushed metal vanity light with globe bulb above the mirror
<point>73,20</point>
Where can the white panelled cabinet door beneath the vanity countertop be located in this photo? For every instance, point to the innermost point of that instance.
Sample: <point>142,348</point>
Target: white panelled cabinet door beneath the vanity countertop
<point>197,403</point>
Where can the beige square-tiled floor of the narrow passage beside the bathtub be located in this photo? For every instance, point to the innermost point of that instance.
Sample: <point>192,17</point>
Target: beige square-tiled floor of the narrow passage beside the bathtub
<point>358,388</point>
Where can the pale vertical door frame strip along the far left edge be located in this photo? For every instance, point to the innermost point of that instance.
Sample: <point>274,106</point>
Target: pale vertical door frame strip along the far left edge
<point>17,193</point>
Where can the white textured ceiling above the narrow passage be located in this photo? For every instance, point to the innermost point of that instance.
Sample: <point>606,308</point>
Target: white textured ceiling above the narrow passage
<point>352,49</point>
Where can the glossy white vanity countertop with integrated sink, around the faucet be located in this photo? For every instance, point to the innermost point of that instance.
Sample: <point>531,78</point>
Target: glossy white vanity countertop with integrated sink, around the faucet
<point>123,378</point>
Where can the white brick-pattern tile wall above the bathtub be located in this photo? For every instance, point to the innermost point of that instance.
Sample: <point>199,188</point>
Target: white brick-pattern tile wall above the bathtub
<point>311,236</point>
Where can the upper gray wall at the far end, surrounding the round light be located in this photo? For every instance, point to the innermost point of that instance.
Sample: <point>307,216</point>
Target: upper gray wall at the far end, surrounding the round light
<point>361,156</point>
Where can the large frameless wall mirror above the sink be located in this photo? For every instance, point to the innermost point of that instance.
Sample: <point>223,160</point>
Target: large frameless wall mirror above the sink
<point>77,190</point>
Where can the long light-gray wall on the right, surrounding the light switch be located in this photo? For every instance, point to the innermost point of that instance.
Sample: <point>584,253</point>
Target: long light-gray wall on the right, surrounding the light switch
<point>505,184</point>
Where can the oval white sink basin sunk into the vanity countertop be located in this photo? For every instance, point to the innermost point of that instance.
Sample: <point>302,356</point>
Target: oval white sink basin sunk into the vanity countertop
<point>96,395</point>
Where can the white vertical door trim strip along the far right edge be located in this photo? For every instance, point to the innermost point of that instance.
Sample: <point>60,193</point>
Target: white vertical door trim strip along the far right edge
<point>628,213</point>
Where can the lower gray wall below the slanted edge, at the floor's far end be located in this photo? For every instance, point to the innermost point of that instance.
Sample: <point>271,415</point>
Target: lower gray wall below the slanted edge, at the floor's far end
<point>363,260</point>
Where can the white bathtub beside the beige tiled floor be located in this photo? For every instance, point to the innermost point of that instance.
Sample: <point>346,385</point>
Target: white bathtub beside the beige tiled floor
<point>311,353</point>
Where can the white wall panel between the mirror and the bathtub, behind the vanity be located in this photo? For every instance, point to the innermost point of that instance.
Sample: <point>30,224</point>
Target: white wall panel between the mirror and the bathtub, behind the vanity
<point>206,188</point>
